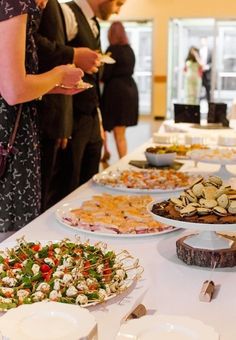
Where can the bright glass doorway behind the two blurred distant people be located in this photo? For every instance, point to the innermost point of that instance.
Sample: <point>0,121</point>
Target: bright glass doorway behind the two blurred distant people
<point>221,34</point>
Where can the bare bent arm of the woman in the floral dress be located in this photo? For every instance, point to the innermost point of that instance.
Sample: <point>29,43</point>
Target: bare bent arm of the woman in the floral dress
<point>15,85</point>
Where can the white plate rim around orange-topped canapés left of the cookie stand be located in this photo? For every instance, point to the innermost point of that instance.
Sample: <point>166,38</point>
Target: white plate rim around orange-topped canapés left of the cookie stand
<point>66,218</point>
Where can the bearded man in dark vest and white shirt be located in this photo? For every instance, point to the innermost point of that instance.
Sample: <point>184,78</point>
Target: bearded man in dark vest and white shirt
<point>83,30</point>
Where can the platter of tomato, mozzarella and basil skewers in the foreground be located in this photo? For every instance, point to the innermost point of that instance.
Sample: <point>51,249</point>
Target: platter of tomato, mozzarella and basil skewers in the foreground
<point>63,271</point>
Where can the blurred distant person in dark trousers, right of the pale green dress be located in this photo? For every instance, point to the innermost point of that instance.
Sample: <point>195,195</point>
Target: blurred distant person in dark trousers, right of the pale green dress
<point>206,60</point>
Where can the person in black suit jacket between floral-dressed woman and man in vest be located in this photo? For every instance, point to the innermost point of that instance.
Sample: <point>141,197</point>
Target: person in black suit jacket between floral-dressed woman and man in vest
<point>56,127</point>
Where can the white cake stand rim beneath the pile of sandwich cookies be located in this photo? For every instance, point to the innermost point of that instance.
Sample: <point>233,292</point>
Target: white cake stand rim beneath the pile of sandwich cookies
<point>190,225</point>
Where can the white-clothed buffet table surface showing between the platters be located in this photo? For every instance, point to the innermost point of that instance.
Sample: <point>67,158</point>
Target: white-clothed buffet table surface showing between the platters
<point>168,286</point>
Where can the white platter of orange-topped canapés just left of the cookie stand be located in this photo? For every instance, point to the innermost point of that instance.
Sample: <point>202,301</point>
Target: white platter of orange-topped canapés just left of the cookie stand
<point>113,216</point>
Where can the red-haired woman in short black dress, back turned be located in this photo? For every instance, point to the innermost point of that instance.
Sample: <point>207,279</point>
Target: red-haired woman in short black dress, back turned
<point>119,101</point>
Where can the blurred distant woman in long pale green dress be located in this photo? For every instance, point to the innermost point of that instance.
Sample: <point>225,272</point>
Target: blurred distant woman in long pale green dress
<point>193,77</point>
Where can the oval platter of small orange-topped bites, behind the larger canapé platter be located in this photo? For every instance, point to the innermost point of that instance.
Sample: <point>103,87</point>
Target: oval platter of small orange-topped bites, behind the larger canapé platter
<point>144,181</point>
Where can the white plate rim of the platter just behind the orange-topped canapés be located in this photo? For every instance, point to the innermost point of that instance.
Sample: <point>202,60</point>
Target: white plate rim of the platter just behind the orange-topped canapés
<point>103,175</point>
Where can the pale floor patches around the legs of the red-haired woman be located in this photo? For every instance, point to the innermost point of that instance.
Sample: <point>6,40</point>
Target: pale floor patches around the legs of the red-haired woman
<point>136,135</point>
